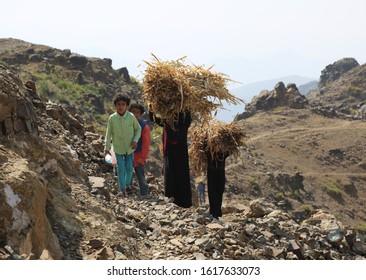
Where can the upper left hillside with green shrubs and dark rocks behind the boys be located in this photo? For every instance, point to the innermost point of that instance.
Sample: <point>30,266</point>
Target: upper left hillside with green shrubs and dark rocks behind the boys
<point>83,85</point>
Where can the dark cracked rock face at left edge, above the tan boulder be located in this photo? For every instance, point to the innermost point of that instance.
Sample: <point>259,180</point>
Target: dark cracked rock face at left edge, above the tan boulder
<point>16,108</point>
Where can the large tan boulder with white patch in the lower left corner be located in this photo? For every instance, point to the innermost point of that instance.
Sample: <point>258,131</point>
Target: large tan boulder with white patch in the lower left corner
<point>23,202</point>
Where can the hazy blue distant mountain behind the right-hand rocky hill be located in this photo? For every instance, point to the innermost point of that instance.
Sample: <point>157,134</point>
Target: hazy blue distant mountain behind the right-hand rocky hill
<point>248,91</point>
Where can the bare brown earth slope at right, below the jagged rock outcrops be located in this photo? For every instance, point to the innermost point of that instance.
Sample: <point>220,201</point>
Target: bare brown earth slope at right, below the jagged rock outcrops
<point>328,153</point>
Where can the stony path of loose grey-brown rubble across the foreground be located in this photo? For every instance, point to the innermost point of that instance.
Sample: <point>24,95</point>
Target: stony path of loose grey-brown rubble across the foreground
<point>158,229</point>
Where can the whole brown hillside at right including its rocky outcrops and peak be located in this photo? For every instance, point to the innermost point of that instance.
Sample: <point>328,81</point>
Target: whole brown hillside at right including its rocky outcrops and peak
<point>308,152</point>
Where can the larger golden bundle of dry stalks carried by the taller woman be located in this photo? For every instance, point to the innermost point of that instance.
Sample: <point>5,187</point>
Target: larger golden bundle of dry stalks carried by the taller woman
<point>173,86</point>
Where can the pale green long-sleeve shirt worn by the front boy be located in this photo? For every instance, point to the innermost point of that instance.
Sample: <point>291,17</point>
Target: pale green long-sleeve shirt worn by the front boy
<point>122,130</point>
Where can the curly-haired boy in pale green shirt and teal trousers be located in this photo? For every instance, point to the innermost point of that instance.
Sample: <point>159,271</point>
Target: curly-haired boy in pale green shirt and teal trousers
<point>124,131</point>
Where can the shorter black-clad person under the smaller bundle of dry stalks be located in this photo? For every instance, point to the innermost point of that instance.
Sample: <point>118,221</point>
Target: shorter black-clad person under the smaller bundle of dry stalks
<point>216,181</point>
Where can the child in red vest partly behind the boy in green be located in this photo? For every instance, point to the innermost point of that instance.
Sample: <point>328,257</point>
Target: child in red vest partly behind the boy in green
<point>142,149</point>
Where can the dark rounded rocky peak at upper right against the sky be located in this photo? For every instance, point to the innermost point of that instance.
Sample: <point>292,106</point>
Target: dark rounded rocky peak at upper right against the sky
<point>333,71</point>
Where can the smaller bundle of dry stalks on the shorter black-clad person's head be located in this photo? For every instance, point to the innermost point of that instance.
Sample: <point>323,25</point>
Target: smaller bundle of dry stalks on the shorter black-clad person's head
<point>215,138</point>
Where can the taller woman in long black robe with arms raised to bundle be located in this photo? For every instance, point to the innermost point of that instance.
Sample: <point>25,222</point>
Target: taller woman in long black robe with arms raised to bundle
<point>175,153</point>
